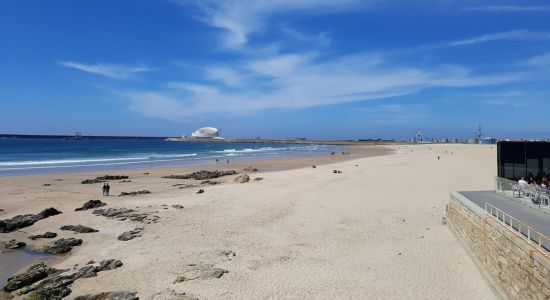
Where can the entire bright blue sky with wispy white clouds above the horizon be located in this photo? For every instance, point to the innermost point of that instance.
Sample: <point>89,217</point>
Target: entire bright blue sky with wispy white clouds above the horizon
<point>281,69</point>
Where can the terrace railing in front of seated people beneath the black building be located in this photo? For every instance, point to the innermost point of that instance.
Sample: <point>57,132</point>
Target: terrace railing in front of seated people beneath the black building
<point>531,196</point>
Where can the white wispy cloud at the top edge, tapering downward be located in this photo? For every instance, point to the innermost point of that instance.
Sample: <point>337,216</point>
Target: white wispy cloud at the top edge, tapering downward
<point>240,18</point>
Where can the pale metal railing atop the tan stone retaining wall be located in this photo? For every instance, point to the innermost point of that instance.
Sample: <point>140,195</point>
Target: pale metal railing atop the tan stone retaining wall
<point>529,234</point>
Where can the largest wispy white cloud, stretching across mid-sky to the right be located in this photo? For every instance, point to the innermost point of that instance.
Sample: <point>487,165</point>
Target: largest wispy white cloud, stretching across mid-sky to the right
<point>304,80</point>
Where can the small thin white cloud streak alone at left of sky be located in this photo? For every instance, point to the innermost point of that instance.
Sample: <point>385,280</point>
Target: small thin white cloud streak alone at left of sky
<point>114,71</point>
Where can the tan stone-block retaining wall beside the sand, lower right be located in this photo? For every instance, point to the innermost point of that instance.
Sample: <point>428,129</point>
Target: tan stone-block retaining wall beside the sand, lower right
<point>518,269</point>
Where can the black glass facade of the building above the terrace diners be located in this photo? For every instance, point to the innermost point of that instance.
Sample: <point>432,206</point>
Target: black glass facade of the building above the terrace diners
<point>523,159</point>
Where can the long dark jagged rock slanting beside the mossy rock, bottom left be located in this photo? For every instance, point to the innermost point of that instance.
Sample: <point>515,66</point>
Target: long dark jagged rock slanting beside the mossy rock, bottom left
<point>58,286</point>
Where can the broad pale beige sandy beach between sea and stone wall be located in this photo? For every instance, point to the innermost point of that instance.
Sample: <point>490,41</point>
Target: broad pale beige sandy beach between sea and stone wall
<point>373,231</point>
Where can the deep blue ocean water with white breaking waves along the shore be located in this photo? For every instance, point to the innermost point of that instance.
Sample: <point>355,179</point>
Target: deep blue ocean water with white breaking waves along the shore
<point>37,156</point>
